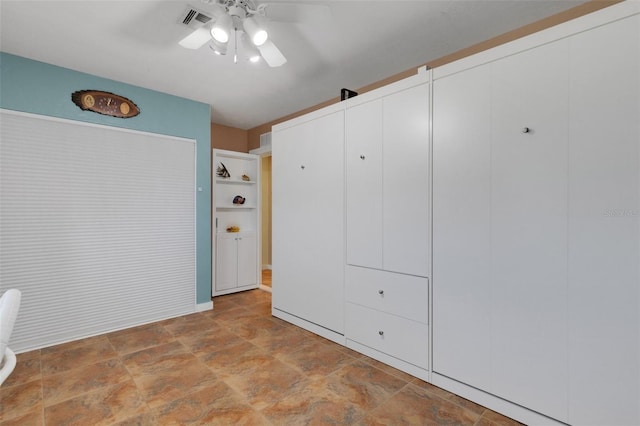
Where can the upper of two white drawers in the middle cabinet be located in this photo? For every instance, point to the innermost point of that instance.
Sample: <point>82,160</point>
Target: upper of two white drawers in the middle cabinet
<point>398,294</point>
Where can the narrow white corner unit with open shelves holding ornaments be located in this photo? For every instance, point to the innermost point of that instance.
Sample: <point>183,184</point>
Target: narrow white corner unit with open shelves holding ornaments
<point>236,254</point>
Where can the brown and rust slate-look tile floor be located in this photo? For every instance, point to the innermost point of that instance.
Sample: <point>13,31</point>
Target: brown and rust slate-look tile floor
<point>235,365</point>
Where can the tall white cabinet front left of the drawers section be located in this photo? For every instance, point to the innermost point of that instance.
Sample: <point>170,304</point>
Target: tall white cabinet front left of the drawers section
<point>308,221</point>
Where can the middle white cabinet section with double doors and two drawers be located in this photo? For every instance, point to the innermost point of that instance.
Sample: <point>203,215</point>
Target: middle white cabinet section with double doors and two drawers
<point>387,228</point>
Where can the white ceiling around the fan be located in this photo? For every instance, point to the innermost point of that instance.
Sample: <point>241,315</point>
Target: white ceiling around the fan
<point>342,44</point>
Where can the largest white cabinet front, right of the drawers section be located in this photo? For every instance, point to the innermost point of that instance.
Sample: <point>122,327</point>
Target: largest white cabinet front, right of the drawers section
<point>536,260</point>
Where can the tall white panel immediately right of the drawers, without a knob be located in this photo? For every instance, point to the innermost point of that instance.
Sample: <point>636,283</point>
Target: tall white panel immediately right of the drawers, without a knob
<point>461,227</point>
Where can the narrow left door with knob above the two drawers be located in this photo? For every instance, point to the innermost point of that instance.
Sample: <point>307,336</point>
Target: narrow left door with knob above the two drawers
<point>364,184</point>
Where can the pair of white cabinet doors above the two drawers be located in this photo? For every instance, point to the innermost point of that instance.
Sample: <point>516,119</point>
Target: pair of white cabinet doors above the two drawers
<point>387,159</point>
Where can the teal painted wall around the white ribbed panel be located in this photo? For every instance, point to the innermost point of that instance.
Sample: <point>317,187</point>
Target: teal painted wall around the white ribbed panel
<point>39,88</point>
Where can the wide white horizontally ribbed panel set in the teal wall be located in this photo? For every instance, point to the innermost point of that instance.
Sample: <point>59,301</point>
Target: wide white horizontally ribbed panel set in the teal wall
<point>97,227</point>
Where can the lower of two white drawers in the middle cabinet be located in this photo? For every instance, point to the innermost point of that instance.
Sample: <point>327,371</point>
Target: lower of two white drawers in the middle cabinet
<point>398,337</point>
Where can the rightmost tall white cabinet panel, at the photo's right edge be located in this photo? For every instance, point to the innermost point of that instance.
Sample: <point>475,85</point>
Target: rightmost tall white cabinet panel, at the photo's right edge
<point>604,225</point>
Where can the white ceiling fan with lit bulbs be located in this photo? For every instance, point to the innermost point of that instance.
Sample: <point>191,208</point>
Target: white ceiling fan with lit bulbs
<point>231,17</point>
